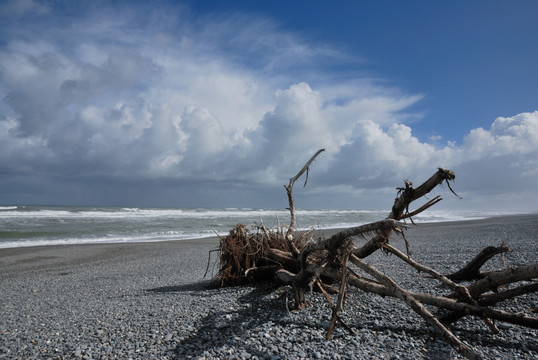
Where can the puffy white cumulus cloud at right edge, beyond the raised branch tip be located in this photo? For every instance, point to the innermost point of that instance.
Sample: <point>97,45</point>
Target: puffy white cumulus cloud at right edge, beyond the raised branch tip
<point>501,162</point>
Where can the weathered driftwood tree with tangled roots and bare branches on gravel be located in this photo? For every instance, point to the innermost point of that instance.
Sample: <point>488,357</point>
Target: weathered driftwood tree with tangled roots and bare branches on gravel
<point>303,261</point>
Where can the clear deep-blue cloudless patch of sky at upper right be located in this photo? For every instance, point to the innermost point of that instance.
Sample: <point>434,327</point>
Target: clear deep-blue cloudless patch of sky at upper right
<point>470,60</point>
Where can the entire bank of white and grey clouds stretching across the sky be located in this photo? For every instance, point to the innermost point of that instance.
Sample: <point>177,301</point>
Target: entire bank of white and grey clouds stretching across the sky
<point>166,103</point>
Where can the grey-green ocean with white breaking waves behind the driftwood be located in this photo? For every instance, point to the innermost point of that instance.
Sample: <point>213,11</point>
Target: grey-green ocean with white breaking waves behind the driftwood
<point>55,225</point>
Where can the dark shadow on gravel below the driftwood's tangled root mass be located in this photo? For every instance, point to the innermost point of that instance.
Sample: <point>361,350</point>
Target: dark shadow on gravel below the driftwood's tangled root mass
<point>225,330</point>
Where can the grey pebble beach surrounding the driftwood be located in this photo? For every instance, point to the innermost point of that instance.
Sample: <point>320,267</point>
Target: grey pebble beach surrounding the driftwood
<point>149,300</point>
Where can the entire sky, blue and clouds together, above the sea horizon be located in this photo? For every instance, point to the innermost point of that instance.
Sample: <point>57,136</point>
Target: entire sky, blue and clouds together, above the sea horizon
<point>218,104</point>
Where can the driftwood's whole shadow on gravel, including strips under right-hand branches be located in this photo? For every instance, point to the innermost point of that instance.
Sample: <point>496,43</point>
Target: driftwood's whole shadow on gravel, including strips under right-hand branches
<point>241,326</point>
